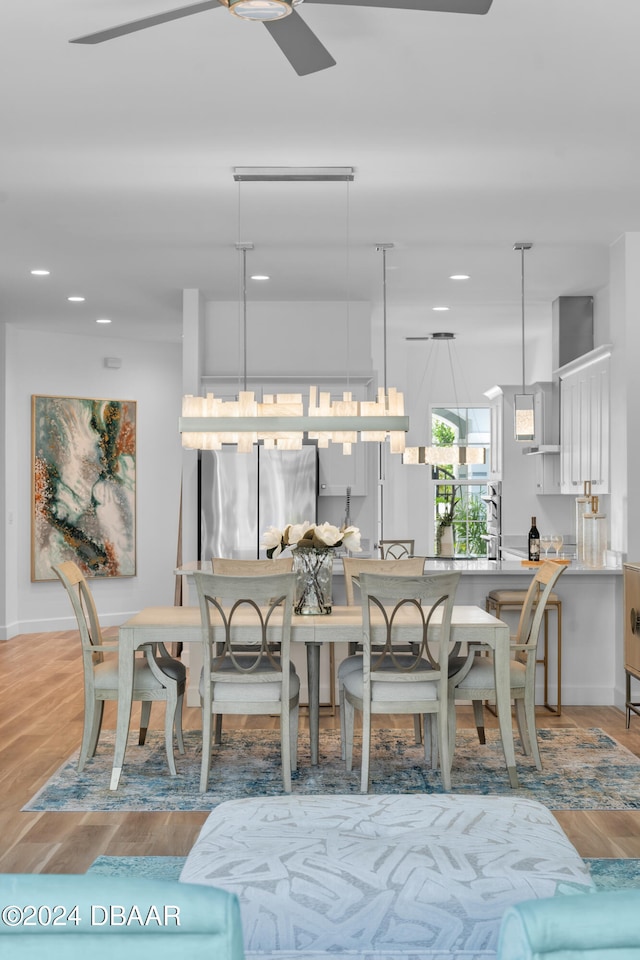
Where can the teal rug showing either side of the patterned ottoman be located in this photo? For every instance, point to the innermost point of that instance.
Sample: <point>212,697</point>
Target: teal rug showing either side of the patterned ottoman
<point>606,874</point>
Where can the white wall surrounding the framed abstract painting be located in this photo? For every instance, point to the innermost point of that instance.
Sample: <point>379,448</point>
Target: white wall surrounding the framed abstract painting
<point>150,373</point>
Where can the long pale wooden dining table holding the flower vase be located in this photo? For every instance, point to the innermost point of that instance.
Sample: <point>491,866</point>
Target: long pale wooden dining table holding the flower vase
<point>470,625</point>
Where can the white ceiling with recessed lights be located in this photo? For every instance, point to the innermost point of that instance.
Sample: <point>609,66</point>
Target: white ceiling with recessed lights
<point>467,134</point>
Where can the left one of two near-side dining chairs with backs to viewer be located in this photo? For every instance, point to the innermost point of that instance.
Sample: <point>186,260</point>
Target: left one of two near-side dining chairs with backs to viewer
<point>235,680</point>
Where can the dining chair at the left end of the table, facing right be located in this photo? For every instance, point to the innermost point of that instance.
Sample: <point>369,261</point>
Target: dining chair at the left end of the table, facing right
<point>157,675</point>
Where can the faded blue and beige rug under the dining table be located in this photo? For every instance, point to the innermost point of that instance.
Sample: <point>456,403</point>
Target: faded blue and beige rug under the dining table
<point>583,770</point>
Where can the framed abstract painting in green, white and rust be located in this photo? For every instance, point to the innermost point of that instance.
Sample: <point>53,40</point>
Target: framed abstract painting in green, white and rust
<point>83,486</point>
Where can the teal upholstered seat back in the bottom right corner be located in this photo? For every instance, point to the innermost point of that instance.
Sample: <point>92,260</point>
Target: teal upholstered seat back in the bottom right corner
<point>600,926</point>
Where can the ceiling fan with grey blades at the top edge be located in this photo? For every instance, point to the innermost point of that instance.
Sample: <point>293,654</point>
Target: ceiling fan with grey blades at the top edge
<point>297,41</point>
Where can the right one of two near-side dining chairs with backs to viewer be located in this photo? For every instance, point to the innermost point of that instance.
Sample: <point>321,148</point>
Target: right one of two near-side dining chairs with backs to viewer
<point>390,682</point>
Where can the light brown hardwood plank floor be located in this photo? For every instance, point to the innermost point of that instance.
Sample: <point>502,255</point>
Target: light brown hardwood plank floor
<point>40,726</point>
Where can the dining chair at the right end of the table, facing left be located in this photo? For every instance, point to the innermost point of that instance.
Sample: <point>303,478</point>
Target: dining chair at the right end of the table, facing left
<point>476,679</point>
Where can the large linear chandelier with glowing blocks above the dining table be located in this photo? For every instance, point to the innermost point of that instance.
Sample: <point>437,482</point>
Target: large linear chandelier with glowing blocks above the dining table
<point>279,421</point>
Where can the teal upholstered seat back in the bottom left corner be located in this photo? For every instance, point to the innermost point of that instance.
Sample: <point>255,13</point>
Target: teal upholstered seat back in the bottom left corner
<point>85,917</point>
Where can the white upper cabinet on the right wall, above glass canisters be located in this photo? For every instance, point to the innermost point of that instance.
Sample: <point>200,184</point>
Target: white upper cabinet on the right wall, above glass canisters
<point>584,422</point>
